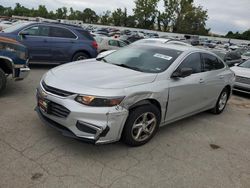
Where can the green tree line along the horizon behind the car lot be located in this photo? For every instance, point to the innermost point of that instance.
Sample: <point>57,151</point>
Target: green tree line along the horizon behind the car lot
<point>180,16</point>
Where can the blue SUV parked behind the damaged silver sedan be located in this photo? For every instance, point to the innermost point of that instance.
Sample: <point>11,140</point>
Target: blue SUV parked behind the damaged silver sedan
<point>53,42</point>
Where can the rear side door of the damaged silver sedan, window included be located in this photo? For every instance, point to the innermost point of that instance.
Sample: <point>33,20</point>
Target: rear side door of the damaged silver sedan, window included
<point>214,78</point>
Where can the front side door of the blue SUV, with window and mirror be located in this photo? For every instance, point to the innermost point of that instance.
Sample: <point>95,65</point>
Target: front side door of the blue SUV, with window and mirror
<point>37,42</point>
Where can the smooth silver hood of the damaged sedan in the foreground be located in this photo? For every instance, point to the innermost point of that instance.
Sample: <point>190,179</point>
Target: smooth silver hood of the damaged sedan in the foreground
<point>95,74</point>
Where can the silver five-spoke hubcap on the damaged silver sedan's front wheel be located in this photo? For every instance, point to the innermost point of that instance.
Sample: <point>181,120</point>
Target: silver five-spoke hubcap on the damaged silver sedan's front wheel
<point>144,126</point>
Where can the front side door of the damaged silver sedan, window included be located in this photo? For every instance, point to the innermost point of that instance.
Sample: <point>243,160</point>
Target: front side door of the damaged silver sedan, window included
<point>186,94</point>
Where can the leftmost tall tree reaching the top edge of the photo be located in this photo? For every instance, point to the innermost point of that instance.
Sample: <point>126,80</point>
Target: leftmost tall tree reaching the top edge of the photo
<point>145,13</point>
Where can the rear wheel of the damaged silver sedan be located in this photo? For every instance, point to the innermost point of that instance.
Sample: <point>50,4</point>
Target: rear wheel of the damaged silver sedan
<point>221,102</point>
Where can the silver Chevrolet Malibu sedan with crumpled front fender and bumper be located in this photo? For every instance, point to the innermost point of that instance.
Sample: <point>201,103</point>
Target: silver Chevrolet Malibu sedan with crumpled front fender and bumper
<point>131,92</point>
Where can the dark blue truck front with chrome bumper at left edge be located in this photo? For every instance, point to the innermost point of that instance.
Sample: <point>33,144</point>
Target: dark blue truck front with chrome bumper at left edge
<point>13,61</point>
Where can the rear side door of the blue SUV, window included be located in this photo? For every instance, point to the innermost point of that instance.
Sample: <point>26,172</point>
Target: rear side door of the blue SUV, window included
<point>62,41</point>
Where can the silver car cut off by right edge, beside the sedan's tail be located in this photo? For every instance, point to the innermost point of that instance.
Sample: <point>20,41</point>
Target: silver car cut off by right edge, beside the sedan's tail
<point>242,82</point>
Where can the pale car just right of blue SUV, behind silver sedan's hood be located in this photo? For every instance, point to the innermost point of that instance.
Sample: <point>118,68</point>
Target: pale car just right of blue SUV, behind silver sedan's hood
<point>106,43</point>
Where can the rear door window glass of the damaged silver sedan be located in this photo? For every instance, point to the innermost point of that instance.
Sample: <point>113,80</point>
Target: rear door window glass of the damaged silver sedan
<point>211,62</point>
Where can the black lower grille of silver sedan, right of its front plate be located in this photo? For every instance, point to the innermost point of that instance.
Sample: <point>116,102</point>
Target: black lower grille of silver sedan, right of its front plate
<point>58,110</point>
